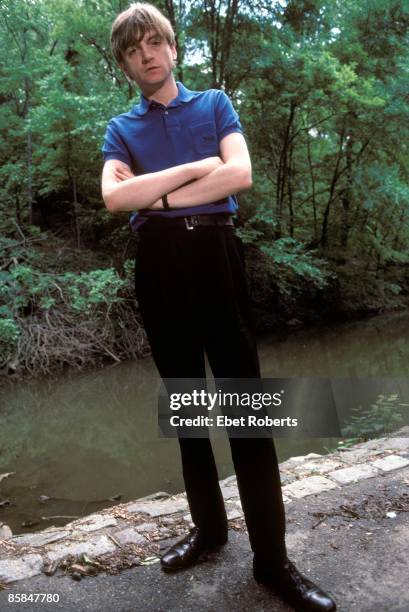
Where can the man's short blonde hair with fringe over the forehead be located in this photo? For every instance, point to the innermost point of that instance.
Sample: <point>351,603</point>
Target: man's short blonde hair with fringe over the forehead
<point>131,26</point>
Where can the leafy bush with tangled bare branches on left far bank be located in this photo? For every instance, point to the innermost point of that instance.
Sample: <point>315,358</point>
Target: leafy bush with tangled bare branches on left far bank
<point>49,318</point>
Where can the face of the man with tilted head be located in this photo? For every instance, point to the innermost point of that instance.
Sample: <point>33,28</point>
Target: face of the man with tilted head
<point>149,62</point>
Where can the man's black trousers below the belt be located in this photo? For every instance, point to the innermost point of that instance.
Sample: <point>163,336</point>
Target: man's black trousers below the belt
<point>192,292</point>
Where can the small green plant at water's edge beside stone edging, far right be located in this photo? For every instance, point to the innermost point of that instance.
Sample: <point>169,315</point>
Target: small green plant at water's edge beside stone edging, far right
<point>384,416</point>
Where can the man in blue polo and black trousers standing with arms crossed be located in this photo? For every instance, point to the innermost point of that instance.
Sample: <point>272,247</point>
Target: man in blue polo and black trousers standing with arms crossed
<point>174,161</point>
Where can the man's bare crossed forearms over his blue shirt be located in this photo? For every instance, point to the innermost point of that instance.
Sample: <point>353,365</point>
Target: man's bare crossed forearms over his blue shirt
<point>214,178</point>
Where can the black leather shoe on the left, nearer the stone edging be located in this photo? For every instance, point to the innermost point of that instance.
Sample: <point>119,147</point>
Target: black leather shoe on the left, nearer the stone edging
<point>187,551</point>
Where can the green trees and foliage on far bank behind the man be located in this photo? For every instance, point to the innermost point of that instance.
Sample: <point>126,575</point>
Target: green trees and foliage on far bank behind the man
<point>321,89</point>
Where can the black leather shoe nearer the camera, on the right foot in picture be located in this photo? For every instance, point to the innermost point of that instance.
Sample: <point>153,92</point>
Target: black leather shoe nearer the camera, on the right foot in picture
<point>294,588</point>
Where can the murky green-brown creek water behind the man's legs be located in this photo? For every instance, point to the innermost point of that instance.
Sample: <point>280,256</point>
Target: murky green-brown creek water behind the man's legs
<point>88,437</point>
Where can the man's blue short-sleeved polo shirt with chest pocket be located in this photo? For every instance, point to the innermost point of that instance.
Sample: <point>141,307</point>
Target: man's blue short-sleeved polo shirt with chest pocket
<point>153,137</point>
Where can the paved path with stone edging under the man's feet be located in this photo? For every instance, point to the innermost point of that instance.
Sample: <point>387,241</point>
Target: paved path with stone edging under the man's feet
<point>352,538</point>
